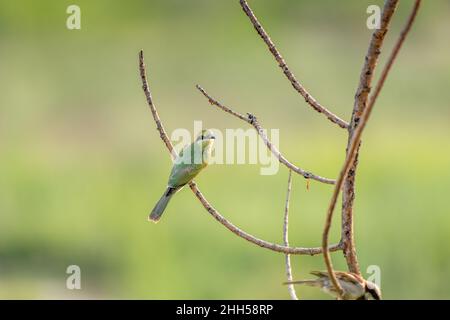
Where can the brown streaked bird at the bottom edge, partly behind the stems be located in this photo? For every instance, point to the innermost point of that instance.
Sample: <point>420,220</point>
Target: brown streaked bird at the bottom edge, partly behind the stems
<point>353,285</point>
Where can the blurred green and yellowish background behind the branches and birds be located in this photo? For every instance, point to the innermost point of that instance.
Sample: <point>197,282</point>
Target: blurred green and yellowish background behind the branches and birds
<point>82,165</point>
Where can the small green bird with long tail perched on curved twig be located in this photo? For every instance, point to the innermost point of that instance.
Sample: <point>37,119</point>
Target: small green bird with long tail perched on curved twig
<point>191,160</point>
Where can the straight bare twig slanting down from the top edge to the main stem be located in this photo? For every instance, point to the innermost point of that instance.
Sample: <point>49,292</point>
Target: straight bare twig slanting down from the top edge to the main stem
<point>287,72</point>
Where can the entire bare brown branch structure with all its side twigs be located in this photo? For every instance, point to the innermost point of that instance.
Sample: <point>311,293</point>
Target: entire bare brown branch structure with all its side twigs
<point>361,113</point>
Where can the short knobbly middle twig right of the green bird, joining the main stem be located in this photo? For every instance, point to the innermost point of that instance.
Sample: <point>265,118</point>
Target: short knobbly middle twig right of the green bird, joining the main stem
<point>251,119</point>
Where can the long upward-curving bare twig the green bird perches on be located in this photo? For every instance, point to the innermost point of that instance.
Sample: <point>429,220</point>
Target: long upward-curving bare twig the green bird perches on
<point>202,199</point>
